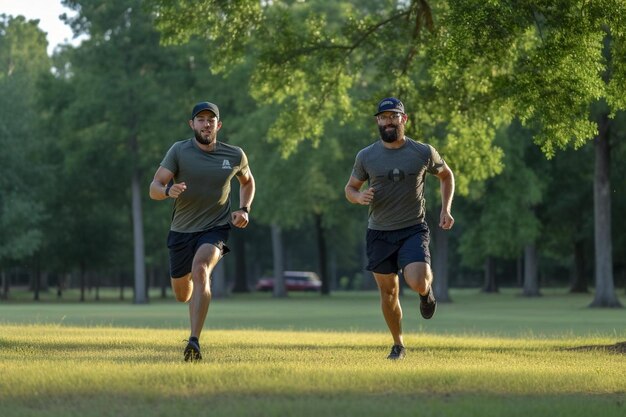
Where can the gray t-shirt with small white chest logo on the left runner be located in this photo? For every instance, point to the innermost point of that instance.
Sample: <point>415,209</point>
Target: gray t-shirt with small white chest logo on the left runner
<point>206,201</point>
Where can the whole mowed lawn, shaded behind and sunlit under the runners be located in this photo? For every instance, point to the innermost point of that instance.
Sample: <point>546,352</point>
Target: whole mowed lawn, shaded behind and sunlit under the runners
<point>482,355</point>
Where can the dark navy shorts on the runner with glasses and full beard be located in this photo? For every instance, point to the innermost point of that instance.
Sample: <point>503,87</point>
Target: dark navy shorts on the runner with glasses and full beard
<point>389,251</point>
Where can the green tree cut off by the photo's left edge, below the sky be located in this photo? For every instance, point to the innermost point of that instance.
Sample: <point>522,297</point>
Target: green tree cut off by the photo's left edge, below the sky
<point>23,62</point>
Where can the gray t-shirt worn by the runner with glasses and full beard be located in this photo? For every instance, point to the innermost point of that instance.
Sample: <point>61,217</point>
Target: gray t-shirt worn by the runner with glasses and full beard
<point>397,176</point>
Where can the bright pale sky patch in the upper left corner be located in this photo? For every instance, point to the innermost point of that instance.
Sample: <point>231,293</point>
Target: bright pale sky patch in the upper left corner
<point>48,12</point>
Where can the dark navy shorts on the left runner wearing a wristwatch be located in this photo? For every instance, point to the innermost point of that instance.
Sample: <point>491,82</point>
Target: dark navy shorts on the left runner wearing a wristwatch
<point>183,247</point>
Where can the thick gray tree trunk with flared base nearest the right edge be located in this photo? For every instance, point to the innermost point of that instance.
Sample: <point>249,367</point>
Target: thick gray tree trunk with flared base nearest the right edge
<point>605,290</point>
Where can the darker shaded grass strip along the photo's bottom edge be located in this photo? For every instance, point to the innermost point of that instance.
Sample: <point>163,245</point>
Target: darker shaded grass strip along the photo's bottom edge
<point>264,404</point>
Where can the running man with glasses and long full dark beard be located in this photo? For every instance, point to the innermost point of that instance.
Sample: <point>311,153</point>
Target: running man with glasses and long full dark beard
<point>397,239</point>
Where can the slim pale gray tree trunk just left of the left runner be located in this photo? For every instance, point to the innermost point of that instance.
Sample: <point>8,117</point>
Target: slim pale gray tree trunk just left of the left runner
<point>139,248</point>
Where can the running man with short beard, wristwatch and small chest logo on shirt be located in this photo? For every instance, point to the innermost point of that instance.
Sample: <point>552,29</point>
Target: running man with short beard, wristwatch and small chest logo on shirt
<point>196,173</point>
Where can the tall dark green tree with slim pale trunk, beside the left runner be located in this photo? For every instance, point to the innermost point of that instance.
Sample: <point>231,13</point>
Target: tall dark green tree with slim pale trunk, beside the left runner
<point>129,98</point>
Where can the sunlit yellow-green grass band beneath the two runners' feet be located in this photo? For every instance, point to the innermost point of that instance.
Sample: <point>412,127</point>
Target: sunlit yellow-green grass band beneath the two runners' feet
<point>42,364</point>
